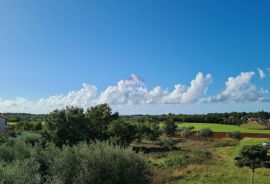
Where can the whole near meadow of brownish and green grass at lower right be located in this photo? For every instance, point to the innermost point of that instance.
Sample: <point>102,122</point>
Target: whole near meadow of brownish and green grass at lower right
<point>206,162</point>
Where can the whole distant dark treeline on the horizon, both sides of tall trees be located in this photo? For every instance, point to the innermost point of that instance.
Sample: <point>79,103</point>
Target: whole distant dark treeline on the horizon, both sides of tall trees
<point>222,118</point>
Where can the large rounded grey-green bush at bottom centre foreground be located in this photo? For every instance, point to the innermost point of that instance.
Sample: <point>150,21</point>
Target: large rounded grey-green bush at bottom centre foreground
<point>99,163</point>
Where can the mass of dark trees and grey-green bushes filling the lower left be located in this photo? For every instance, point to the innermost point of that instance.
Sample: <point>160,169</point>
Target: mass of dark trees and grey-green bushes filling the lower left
<point>73,146</point>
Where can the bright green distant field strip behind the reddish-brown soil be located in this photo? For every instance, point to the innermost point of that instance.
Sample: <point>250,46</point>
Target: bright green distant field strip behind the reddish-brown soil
<point>223,128</point>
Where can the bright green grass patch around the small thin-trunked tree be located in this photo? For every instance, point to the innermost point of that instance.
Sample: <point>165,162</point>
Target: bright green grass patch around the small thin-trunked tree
<point>221,170</point>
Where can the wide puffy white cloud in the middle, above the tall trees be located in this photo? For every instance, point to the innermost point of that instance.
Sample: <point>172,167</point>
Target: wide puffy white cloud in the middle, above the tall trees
<point>135,92</point>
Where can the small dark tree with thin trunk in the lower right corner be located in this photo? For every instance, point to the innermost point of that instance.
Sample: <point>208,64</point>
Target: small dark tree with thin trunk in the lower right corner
<point>253,156</point>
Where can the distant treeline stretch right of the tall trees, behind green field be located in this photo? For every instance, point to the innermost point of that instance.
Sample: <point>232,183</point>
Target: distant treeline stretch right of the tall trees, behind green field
<point>234,118</point>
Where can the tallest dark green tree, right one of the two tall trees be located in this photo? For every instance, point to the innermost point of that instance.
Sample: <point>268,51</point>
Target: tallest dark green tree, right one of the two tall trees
<point>98,120</point>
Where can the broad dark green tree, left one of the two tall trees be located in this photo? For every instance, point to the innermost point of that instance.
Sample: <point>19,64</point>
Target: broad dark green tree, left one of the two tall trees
<point>67,126</point>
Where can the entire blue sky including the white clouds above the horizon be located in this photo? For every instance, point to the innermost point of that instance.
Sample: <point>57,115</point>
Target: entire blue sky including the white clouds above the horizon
<point>52,47</point>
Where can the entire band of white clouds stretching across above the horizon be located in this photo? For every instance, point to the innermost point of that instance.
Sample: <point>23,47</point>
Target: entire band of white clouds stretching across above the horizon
<point>133,91</point>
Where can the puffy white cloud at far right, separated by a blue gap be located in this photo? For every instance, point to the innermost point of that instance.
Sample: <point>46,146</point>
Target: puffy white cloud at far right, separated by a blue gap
<point>240,89</point>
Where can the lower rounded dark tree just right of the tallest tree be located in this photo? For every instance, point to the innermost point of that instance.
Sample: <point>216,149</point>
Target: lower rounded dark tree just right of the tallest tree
<point>123,132</point>
